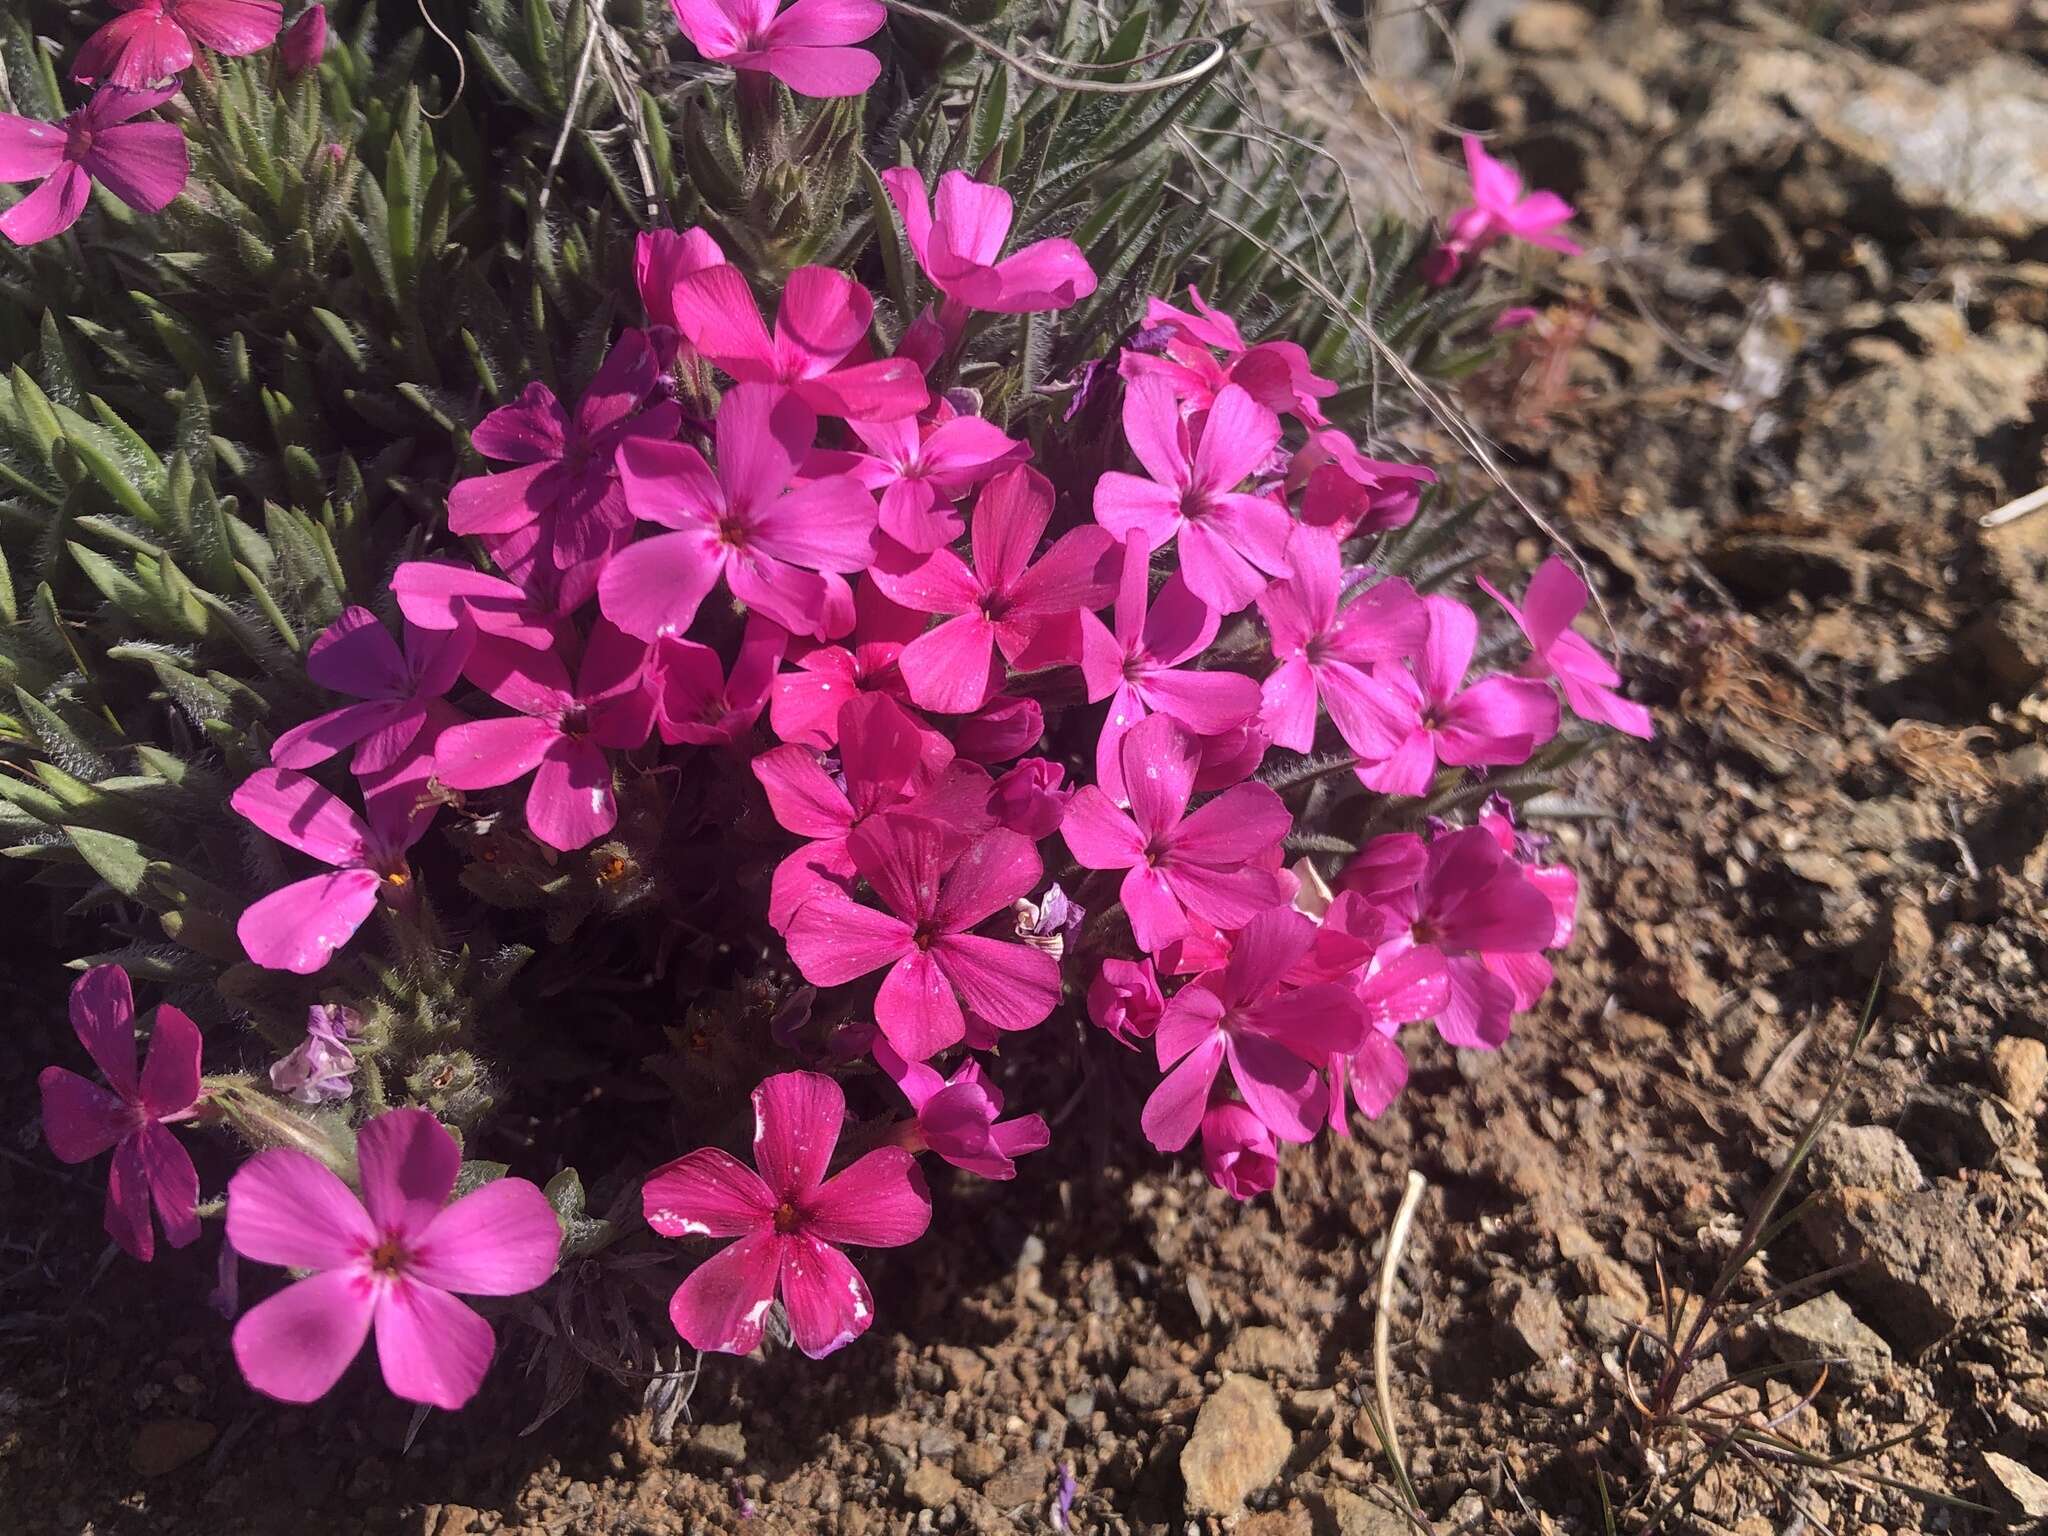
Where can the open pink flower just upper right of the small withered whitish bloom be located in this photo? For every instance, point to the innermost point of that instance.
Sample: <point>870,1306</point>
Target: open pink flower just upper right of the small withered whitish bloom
<point>1207,863</point>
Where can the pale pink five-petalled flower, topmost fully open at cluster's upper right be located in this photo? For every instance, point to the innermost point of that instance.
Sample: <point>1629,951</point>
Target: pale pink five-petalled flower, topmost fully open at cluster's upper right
<point>1230,542</point>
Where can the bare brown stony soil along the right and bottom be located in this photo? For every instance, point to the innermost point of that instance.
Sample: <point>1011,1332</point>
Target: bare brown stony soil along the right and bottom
<point>1809,368</point>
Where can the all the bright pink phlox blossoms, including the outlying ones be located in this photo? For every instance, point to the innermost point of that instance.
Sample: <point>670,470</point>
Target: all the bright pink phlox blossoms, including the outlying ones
<point>1029,744</point>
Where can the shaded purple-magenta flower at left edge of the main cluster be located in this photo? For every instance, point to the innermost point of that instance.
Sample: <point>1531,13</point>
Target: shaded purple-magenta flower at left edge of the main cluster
<point>355,656</point>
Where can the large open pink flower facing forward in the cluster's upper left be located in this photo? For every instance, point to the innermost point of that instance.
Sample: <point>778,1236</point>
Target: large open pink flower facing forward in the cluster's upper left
<point>742,523</point>
